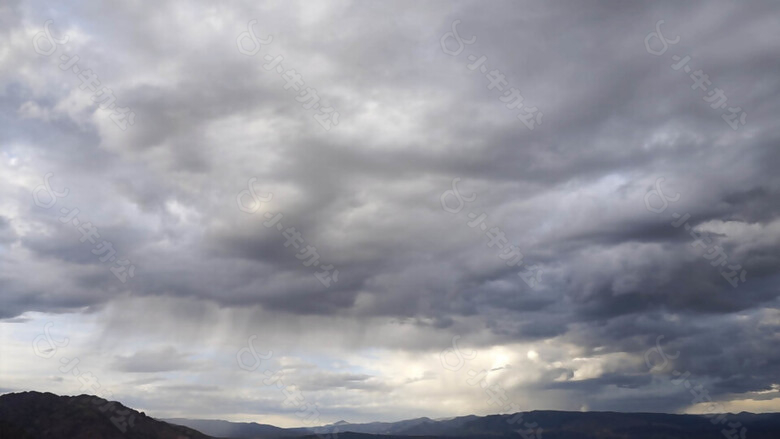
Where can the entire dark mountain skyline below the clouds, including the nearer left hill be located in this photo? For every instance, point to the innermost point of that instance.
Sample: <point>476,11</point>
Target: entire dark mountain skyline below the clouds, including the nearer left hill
<point>33,415</point>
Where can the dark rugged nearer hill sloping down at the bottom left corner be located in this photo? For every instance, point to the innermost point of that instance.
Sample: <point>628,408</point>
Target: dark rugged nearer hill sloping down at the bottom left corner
<point>34,415</point>
